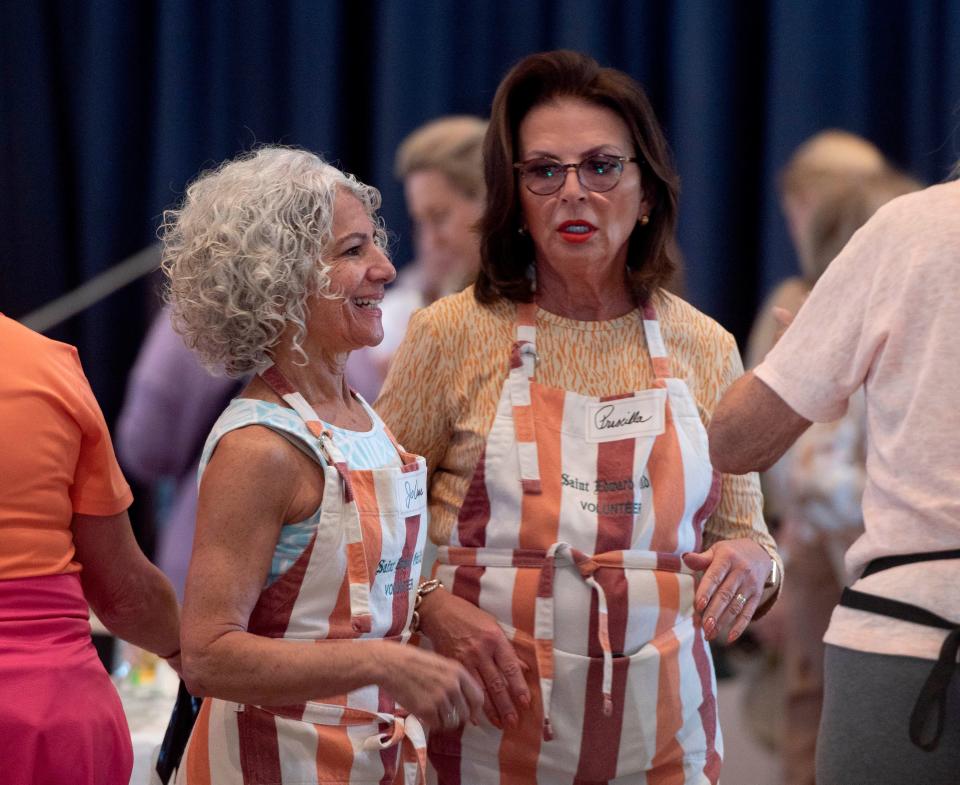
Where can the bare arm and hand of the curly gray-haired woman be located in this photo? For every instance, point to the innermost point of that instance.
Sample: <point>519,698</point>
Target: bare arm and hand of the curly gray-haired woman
<point>255,483</point>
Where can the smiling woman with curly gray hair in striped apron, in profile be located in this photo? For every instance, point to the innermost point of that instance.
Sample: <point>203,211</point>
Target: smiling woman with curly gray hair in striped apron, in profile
<point>311,519</point>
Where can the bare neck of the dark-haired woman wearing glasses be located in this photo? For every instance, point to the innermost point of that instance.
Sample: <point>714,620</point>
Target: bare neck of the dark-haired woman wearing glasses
<point>587,298</point>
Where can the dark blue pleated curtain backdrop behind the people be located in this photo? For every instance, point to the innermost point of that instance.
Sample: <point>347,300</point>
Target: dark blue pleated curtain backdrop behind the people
<point>109,108</point>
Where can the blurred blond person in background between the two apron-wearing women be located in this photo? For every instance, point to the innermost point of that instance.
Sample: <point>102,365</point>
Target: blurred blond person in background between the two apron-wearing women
<point>441,167</point>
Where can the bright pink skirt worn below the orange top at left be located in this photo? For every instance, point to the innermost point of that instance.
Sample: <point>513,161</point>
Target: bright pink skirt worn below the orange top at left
<point>61,720</point>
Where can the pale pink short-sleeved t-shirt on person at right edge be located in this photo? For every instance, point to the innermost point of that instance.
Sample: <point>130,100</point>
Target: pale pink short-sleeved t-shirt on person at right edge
<point>886,316</point>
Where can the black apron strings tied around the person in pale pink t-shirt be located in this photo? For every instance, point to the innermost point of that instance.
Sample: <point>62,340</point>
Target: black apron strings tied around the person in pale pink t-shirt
<point>933,695</point>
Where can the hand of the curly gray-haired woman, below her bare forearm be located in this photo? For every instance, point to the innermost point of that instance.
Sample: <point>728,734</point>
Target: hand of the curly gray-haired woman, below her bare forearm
<point>438,690</point>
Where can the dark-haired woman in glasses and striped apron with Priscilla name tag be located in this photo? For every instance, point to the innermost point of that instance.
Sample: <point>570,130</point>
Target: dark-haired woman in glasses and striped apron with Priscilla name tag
<point>588,551</point>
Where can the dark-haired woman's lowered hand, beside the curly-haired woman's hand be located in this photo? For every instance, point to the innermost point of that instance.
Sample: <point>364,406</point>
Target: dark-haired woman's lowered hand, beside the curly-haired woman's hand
<point>460,630</point>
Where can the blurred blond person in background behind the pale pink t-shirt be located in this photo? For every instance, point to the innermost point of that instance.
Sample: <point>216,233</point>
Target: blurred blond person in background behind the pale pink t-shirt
<point>821,479</point>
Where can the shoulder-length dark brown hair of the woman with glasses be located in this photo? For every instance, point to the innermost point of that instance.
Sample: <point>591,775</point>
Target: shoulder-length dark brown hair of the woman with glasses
<point>538,79</point>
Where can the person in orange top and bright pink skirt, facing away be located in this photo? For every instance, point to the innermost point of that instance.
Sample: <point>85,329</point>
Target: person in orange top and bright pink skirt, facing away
<point>65,541</point>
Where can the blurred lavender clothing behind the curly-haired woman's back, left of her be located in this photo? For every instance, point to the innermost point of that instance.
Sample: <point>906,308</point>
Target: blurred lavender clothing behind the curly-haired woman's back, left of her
<point>170,405</point>
